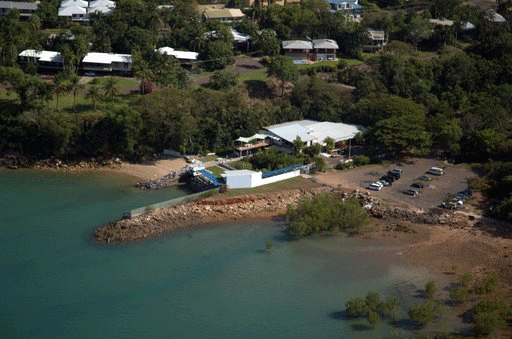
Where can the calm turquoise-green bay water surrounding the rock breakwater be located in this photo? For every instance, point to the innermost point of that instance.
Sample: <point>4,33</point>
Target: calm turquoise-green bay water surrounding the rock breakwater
<point>212,282</point>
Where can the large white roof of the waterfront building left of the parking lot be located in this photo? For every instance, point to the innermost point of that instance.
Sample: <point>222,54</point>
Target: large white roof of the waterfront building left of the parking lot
<point>314,131</point>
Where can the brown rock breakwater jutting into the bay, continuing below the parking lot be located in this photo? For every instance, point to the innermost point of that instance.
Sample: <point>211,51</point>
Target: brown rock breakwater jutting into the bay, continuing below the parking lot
<point>248,207</point>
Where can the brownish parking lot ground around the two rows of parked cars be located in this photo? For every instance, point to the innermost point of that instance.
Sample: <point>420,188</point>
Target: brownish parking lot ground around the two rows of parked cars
<point>432,195</point>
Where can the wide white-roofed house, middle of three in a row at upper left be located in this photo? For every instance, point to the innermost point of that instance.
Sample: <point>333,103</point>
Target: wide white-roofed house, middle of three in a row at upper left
<point>107,63</point>
